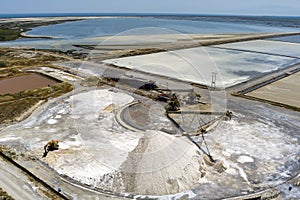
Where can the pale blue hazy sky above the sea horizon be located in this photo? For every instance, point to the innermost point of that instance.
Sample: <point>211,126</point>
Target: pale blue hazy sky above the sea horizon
<point>230,7</point>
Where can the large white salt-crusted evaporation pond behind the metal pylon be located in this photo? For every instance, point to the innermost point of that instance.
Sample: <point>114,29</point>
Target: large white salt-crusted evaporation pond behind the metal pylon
<point>197,65</point>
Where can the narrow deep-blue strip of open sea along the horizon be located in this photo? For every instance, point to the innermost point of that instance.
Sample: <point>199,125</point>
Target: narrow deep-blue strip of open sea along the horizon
<point>263,20</point>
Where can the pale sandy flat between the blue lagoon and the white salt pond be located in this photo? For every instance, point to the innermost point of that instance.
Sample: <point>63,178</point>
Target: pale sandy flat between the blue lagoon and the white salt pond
<point>173,41</point>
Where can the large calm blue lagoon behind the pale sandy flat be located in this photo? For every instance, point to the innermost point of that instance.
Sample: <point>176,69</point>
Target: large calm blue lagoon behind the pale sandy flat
<point>113,26</point>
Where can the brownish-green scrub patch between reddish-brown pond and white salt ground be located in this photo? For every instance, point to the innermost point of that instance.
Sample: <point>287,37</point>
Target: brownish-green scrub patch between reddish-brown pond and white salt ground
<point>13,105</point>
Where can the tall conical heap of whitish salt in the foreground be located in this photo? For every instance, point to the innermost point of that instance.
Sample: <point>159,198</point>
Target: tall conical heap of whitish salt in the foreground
<point>162,164</point>
